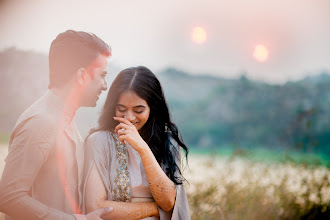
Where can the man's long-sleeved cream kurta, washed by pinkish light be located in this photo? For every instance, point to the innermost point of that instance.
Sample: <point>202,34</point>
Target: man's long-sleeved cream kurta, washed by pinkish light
<point>43,171</point>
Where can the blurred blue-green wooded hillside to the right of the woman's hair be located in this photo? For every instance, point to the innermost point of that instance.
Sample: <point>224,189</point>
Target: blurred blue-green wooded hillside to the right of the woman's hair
<point>245,113</point>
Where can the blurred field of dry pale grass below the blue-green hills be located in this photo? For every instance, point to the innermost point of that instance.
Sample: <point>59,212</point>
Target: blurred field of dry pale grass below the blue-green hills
<point>233,187</point>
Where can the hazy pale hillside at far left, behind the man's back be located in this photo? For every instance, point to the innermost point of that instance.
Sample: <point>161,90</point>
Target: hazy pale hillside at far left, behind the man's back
<point>24,78</point>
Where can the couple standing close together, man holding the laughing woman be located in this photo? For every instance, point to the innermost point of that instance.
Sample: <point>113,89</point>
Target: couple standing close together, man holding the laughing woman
<point>128,167</point>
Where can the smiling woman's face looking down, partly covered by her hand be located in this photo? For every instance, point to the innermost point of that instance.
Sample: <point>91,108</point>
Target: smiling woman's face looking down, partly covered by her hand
<point>133,108</point>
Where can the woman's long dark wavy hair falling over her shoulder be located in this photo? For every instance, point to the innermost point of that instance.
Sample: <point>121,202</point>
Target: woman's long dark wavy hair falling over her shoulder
<point>159,127</point>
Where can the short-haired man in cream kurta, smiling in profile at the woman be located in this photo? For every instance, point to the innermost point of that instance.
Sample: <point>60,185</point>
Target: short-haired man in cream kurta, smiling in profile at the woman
<point>42,177</point>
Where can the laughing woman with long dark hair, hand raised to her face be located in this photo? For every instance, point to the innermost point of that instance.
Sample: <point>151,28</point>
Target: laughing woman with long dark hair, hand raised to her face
<point>132,159</point>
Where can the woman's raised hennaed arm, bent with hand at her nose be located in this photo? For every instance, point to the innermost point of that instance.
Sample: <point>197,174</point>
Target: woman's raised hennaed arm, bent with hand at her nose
<point>162,188</point>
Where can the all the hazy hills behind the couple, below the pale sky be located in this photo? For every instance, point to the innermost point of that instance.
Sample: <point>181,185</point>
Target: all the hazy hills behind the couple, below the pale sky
<point>211,112</point>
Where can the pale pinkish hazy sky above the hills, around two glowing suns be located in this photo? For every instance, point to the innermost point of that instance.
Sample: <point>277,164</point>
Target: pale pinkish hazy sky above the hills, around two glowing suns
<point>158,34</point>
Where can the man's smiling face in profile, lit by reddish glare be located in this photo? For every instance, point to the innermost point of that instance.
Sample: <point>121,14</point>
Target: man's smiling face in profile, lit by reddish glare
<point>95,82</point>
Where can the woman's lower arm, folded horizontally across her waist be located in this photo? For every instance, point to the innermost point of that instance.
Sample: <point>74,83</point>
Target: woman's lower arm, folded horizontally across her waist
<point>96,197</point>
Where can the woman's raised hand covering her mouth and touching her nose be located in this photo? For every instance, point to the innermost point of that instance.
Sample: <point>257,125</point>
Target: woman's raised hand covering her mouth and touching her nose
<point>127,132</point>
